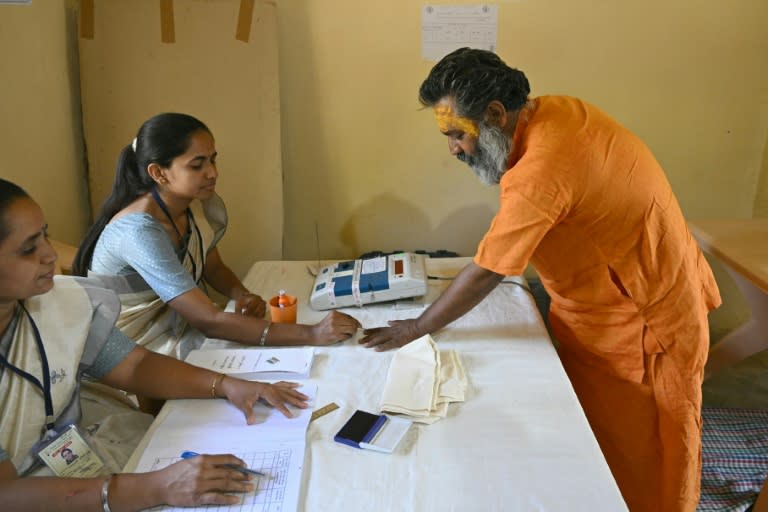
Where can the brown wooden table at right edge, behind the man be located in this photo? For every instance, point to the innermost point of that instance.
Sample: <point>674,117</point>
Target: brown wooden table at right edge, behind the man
<point>742,245</point>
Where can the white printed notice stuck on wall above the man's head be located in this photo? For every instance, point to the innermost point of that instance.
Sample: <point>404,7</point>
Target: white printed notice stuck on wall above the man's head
<point>445,28</point>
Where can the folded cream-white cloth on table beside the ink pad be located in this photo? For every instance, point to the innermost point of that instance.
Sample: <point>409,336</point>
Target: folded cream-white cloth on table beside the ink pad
<point>422,381</point>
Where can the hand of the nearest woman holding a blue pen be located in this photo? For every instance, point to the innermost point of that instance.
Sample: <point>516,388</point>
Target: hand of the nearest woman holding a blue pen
<point>201,480</point>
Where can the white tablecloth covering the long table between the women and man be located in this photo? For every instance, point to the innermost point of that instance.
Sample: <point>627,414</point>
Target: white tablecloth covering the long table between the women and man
<point>520,441</point>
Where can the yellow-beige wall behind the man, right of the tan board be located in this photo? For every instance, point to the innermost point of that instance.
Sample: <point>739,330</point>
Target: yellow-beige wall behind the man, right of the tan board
<point>364,163</point>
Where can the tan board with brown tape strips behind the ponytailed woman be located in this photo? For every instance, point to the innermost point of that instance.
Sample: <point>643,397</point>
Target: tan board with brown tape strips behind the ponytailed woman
<point>128,75</point>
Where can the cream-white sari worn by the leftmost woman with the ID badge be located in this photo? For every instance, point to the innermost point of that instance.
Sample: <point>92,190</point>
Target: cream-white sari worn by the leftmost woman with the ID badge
<point>74,320</point>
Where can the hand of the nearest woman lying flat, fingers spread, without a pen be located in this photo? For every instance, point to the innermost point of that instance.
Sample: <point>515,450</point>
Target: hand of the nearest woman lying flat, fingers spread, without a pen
<point>244,394</point>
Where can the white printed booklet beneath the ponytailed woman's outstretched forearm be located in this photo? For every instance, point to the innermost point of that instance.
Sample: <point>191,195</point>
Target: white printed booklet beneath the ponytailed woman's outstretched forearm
<point>256,363</point>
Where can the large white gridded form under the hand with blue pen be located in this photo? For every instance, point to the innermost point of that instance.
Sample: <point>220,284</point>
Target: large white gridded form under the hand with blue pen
<point>274,445</point>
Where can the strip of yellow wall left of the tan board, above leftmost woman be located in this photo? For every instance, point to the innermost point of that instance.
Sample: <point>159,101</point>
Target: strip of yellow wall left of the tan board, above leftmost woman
<point>40,125</point>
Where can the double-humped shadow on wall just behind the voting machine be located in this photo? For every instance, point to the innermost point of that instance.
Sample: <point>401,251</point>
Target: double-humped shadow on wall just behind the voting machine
<point>388,223</point>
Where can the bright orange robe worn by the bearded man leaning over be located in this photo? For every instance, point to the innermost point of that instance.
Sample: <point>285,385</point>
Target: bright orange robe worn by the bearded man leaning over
<point>588,205</point>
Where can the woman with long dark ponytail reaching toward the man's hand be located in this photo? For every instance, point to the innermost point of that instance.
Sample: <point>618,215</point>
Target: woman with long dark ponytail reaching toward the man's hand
<point>154,243</point>
